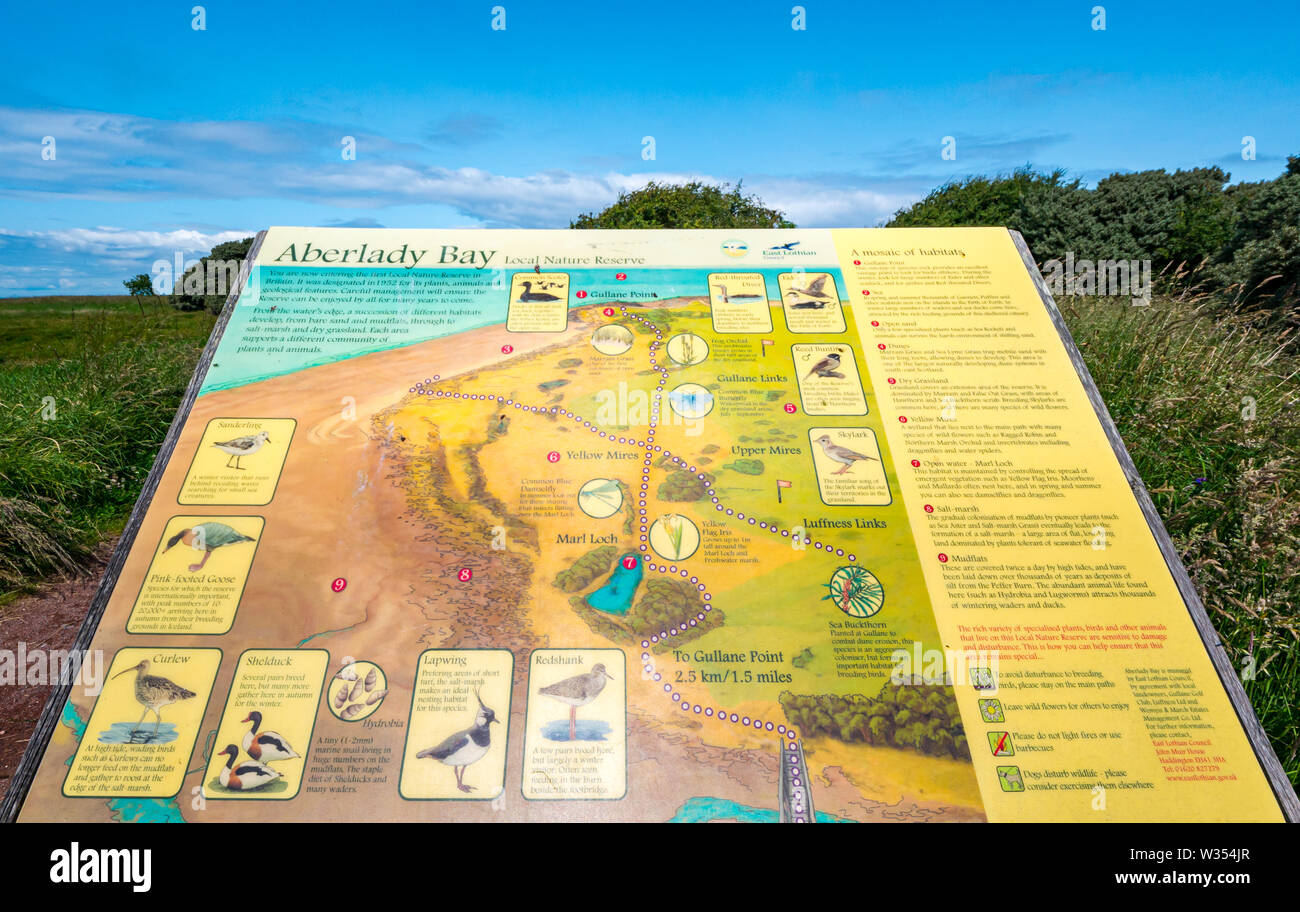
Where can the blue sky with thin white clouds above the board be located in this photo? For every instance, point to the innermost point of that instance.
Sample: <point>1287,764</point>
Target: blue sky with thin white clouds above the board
<point>172,140</point>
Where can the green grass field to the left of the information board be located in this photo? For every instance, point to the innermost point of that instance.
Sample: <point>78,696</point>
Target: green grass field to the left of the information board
<point>88,390</point>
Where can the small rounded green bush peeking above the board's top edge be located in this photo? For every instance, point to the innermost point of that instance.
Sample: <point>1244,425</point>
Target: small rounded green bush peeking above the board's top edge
<point>688,206</point>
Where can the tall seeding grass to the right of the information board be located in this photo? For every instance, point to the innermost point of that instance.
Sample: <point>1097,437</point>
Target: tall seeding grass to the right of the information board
<point>1180,384</point>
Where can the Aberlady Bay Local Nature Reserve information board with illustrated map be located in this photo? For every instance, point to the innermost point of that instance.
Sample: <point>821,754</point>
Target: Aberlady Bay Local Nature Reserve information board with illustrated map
<point>645,526</point>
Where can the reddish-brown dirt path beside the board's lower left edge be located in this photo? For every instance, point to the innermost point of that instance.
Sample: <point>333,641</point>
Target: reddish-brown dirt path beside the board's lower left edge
<point>47,620</point>
